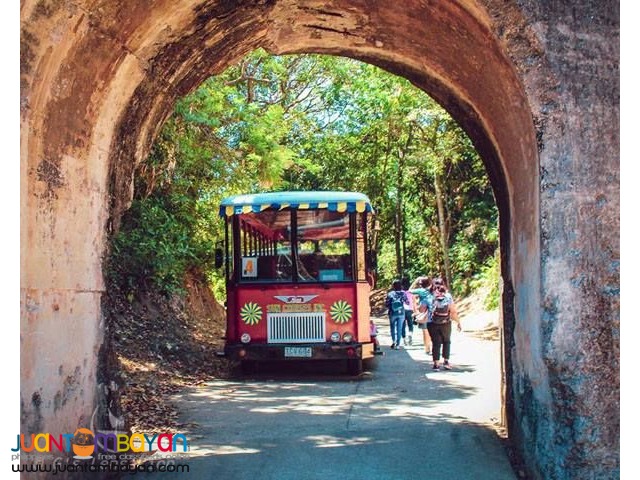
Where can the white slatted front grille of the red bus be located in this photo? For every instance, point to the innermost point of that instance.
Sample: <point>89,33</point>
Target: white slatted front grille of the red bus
<point>295,327</point>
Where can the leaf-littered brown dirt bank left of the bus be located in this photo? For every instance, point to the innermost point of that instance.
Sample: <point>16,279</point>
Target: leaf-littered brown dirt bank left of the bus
<point>154,346</point>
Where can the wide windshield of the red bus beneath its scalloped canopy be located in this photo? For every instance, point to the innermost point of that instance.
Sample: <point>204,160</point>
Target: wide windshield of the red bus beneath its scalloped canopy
<point>299,245</point>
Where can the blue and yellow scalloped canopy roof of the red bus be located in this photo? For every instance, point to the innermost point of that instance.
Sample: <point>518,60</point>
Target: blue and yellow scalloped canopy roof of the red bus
<point>332,201</point>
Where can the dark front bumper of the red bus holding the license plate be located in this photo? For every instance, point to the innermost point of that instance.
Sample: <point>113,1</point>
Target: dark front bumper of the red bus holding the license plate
<point>313,351</point>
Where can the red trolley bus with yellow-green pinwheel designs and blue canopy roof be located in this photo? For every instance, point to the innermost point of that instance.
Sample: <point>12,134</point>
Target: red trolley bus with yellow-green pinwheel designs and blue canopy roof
<point>298,272</point>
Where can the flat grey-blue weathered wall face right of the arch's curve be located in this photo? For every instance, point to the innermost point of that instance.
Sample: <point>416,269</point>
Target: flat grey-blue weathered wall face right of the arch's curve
<point>577,434</point>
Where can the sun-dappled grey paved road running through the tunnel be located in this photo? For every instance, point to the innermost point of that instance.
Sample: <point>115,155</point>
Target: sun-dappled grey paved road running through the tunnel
<point>399,420</point>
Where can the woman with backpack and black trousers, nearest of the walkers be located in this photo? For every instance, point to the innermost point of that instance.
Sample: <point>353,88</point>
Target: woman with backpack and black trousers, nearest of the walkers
<point>444,312</point>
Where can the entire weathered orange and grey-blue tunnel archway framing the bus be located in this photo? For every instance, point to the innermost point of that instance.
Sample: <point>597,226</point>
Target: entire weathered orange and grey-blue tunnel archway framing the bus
<point>99,78</point>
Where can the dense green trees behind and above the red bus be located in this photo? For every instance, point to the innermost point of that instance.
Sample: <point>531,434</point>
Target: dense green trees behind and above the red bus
<point>311,122</point>
